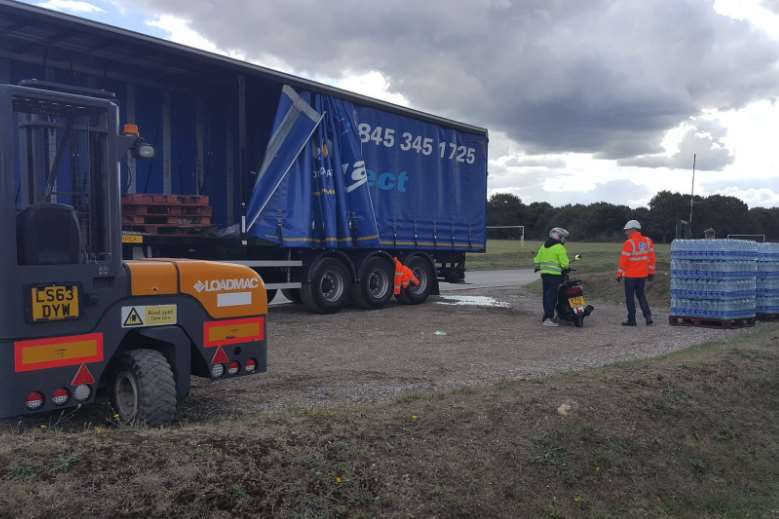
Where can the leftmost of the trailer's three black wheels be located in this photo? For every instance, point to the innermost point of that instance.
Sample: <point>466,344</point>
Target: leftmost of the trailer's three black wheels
<point>327,291</point>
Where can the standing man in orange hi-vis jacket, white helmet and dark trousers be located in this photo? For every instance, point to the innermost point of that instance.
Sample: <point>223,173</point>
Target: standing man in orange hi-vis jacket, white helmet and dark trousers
<point>636,265</point>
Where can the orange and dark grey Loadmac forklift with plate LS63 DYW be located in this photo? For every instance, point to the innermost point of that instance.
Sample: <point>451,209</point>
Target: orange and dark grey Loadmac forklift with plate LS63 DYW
<point>77,323</point>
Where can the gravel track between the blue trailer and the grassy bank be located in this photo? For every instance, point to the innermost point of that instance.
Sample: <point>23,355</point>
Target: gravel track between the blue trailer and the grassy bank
<point>364,356</point>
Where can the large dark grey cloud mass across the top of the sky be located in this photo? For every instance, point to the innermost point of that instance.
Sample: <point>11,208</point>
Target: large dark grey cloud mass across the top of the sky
<point>603,76</point>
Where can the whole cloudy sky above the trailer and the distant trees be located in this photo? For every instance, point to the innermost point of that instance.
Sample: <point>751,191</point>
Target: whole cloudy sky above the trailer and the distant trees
<point>585,100</point>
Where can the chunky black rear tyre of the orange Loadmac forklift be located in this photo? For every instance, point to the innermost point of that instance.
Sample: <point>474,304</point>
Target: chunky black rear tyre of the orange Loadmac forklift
<point>143,389</point>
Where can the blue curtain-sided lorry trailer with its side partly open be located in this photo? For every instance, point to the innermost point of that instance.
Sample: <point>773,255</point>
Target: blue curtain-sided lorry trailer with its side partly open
<point>318,189</point>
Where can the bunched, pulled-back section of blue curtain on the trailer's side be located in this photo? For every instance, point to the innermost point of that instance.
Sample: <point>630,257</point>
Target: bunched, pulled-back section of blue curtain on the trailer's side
<point>312,190</point>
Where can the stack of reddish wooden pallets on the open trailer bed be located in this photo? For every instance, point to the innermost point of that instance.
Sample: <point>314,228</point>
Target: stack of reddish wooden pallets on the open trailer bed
<point>169,215</point>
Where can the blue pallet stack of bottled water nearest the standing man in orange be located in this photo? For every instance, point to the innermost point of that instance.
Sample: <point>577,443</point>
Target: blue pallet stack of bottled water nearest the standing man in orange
<point>713,283</point>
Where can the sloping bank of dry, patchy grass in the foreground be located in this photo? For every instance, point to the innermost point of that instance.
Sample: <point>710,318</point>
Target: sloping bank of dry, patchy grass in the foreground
<point>689,436</point>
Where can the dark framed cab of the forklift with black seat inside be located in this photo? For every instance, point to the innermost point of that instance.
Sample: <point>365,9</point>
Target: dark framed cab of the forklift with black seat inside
<point>60,207</point>
